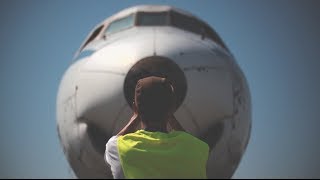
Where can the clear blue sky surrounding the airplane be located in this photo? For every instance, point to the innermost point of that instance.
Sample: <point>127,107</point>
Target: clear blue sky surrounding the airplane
<point>276,44</point>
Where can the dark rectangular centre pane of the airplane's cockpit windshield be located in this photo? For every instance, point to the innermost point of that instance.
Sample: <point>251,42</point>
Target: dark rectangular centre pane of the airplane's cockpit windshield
<point>152,19</point>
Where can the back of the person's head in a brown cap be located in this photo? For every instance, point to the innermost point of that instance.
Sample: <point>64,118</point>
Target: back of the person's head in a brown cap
<point>155,98</point>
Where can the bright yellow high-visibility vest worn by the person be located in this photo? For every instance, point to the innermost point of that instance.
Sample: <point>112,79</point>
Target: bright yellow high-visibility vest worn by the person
<point>176,154</point>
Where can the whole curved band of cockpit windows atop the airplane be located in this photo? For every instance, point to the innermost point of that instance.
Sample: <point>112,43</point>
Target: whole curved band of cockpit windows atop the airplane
<point>160,18</point>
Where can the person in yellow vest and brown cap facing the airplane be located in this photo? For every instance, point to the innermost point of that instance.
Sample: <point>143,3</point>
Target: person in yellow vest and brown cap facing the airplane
<point>153,144</point>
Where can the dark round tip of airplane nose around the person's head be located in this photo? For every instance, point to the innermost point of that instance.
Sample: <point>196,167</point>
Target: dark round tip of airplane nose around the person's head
<point>156,66</point>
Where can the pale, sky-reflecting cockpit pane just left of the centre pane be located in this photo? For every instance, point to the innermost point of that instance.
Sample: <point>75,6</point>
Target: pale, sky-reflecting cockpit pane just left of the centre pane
<point>120,24</point>
